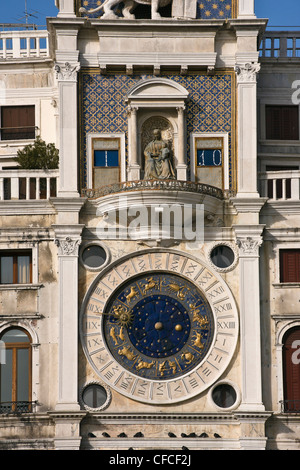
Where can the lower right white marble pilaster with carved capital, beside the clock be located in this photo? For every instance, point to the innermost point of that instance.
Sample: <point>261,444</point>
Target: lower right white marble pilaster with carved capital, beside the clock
<point>249,240</point>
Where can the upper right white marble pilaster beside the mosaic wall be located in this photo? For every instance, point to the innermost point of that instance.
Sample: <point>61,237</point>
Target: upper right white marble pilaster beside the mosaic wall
<point>247,126</point>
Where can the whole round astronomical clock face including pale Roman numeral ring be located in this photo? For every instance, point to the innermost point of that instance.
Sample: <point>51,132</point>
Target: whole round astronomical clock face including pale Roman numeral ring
<point>159,327</point>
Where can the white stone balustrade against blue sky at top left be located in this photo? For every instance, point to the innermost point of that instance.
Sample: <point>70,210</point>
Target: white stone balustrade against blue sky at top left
<point>24,44</point>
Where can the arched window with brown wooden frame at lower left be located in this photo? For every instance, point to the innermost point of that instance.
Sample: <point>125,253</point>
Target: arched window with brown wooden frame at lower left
<point>15,371</point>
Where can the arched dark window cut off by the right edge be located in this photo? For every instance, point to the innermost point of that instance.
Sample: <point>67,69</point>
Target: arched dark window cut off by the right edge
<point>291,370</point>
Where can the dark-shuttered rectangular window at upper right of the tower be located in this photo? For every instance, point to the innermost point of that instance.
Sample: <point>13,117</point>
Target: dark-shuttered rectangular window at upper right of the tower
<point>282,122</point>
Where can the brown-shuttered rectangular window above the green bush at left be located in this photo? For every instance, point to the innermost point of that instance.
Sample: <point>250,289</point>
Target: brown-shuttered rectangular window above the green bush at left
<point>17,122</point>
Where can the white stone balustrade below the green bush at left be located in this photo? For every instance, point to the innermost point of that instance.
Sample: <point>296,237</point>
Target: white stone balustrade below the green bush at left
<point>28,184</point>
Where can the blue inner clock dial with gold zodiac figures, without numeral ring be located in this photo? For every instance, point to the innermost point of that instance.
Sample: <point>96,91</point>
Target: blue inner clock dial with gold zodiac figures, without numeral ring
<point>159,326</point>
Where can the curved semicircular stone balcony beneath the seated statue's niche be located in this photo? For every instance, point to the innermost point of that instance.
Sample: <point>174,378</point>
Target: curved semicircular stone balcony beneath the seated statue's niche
<point>164,205</point>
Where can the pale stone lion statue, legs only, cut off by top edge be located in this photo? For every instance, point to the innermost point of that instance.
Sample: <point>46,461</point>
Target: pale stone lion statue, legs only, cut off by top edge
<point>129,5</point>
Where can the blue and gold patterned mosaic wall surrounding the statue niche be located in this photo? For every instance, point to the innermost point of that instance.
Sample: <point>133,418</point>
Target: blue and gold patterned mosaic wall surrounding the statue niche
<point>210,107</point>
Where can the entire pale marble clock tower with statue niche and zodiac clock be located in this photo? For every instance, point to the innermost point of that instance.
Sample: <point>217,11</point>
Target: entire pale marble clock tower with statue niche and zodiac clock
<point>158,226</point>
